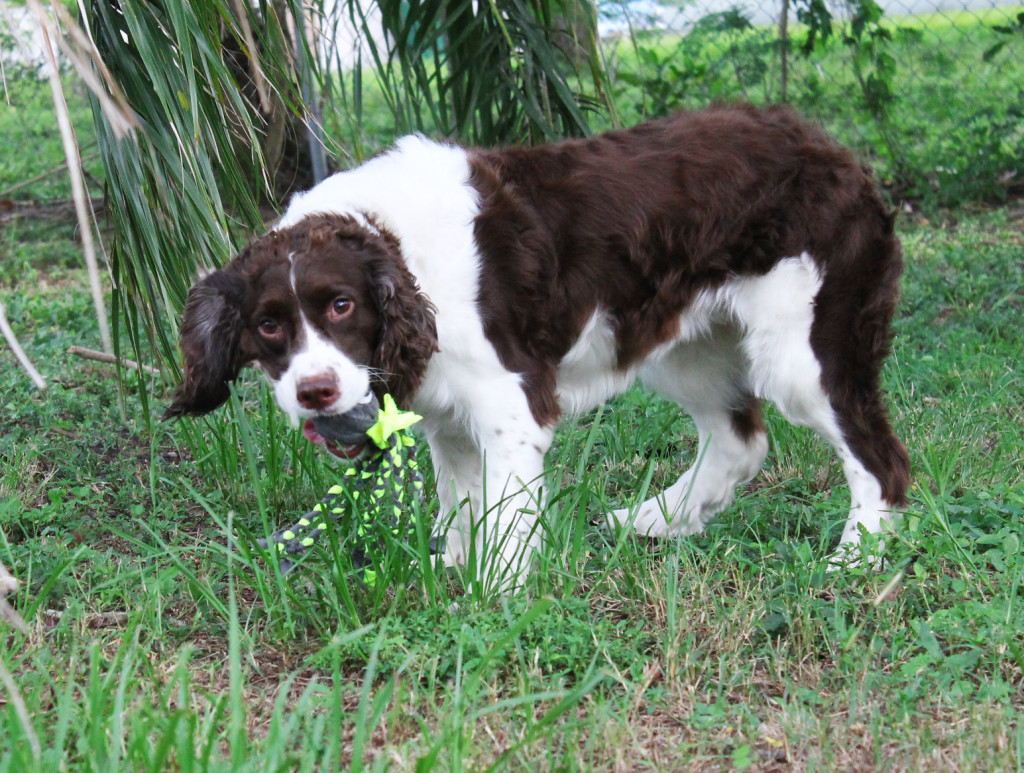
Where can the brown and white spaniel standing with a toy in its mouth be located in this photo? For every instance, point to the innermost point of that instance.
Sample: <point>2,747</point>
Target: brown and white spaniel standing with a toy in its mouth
<point>721,257</point>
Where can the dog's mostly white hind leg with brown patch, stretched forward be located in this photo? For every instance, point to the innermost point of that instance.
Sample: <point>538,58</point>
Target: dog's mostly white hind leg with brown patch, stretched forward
<point>707,377</point>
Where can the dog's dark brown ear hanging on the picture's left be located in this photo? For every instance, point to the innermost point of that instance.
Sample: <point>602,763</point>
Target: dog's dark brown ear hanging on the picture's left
<point>211,345</point>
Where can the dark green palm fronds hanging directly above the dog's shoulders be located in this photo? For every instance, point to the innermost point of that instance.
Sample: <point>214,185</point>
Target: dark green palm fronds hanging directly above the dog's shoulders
<point>492,72</point>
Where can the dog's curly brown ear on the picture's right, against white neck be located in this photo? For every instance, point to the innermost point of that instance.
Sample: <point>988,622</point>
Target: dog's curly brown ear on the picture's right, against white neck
<point>408,335</point>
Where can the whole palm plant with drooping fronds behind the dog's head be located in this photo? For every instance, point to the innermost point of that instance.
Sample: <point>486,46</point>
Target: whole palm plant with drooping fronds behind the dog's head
<point>218,85</point>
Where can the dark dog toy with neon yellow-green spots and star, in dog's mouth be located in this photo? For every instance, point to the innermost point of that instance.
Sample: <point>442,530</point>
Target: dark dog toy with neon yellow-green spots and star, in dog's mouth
<point>378,488</point>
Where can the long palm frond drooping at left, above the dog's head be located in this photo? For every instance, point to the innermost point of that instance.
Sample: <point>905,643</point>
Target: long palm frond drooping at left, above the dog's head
<point>193,177</point>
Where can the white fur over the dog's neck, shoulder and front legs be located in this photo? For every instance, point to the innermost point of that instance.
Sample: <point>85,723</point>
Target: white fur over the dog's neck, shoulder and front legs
<point>487,449</point>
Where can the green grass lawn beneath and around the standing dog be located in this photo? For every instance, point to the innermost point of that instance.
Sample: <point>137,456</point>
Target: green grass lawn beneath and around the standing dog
<point>159,641</point>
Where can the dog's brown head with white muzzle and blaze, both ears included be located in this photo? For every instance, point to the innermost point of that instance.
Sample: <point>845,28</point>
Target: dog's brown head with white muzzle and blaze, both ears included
<point>326,309</point>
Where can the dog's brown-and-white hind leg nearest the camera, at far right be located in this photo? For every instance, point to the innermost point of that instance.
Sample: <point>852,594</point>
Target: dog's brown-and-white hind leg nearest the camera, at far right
<point>817,349</point>
